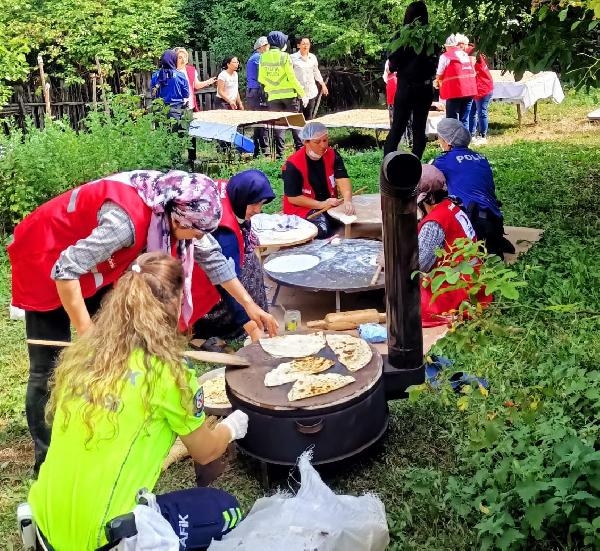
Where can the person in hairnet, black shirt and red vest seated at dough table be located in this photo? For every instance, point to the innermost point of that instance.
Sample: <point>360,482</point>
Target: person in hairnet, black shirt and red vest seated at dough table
<point>313,177</point>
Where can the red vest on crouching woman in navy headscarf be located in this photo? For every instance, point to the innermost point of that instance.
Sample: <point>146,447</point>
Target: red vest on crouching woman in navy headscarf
<point>204,294</point>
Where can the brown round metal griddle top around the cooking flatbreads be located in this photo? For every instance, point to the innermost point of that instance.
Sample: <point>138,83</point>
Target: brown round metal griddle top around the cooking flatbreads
<point>249,384</point>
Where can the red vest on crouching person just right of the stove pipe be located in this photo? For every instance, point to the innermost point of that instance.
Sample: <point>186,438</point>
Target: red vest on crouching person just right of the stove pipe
<point>456,224</point>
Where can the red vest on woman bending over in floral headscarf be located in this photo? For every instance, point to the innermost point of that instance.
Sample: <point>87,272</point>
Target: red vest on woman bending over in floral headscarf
<point>45,233</point>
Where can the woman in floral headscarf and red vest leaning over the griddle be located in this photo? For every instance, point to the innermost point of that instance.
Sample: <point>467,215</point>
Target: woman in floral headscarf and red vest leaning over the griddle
<point>67,253</point>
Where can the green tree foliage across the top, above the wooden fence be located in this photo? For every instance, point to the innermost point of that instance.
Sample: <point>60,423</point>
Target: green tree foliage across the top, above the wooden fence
<point>131,34</point>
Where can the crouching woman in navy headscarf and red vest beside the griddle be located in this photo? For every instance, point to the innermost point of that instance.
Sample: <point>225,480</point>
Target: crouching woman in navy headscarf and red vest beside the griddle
<point>241,198</point>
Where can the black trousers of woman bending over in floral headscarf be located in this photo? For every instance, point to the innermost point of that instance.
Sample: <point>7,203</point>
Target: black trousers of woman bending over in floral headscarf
<point>55,326</point>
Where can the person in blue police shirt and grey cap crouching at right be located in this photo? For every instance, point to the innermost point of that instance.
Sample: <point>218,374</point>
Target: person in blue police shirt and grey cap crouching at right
<point>469,177</point>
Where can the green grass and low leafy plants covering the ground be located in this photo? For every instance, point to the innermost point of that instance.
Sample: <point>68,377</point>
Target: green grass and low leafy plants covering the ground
<point>451,479</point>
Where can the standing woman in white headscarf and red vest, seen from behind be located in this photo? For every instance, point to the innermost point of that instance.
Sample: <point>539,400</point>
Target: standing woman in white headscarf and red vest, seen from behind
<point>455,77</point>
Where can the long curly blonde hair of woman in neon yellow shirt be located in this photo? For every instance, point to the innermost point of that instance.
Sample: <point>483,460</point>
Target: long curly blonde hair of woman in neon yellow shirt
<point>141,312</point>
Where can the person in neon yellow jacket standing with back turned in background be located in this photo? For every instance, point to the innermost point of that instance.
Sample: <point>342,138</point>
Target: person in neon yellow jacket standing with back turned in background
<point>276,74</point>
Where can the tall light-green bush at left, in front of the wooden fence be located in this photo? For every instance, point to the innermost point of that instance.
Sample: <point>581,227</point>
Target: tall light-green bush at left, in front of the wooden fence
<point>36,165</point>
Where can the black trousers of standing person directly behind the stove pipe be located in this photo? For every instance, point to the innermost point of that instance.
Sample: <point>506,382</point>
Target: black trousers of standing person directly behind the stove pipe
<point>410,99</point>
